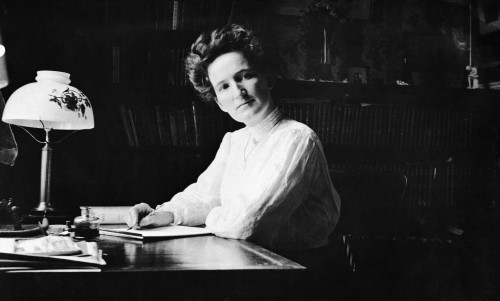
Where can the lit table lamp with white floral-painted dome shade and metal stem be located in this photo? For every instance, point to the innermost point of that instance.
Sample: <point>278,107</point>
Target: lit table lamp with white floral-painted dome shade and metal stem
<point>50,103</point>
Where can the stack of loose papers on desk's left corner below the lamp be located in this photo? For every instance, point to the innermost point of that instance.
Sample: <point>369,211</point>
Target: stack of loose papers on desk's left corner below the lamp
<point>48,254</point>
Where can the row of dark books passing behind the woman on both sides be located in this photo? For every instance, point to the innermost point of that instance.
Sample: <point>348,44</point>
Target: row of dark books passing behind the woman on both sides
<point>335,124</point>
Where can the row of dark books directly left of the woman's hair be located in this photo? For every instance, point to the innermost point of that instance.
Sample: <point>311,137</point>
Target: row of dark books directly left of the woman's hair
<point>148,64</point>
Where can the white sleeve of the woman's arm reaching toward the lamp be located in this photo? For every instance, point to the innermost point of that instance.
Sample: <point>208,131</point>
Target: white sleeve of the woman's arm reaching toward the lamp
<point>191,206</point>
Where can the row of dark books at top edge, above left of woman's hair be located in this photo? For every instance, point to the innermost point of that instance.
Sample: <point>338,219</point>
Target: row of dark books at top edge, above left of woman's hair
<point>176,15</point>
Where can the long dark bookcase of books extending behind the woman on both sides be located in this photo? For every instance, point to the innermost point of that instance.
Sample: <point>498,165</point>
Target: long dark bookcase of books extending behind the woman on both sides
<point>445,145</point>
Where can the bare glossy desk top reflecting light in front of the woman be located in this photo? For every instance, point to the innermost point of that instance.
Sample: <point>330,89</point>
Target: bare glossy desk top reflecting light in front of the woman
<point>190,253</point>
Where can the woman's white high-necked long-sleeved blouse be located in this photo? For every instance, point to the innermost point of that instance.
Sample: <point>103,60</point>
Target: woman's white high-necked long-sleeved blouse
<point>268,184</point>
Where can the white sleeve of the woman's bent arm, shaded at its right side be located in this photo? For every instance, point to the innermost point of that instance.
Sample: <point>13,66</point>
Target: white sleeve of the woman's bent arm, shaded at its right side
<point>280,178</point>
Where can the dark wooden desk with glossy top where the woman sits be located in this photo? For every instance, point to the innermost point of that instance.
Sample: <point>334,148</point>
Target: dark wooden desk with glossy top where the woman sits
<point>194,268</point>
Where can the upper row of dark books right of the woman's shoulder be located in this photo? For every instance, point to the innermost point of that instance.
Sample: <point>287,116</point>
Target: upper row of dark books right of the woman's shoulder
<point>385,125</point>
